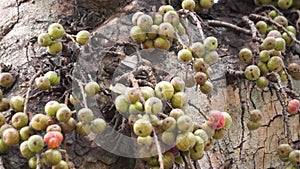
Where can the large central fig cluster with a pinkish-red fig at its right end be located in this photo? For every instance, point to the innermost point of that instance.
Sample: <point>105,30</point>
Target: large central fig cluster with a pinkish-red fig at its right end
<point>176,130</point>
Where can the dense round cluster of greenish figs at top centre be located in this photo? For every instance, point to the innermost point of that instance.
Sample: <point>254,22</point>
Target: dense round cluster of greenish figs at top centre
<point>158,29</point>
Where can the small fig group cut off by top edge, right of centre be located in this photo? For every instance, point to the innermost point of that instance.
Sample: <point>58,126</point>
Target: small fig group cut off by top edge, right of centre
<point>197,6</point>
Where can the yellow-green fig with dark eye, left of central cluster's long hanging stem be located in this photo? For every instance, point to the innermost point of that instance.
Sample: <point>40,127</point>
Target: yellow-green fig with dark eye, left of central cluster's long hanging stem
<point>142,128</point>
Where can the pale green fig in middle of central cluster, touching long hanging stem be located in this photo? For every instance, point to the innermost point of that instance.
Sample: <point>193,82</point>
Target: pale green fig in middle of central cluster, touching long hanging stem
<point>153,105</point>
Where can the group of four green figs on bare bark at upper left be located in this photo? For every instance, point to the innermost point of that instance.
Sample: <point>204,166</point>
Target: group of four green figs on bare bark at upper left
<point>52,39</point>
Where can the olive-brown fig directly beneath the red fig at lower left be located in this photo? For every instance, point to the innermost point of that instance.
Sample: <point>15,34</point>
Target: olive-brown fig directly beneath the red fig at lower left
<point>52,157</point>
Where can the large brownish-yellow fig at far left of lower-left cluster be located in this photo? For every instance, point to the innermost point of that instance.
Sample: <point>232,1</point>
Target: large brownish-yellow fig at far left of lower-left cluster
<point>10,136</point>
